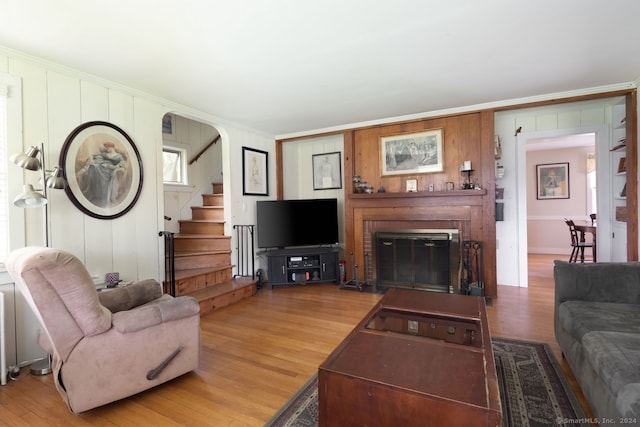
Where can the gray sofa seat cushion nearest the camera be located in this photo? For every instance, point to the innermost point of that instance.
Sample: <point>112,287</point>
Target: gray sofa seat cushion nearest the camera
<point>616,358</point>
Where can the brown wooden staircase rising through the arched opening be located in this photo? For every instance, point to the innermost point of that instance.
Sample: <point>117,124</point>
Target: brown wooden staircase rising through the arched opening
<point>203,266</point>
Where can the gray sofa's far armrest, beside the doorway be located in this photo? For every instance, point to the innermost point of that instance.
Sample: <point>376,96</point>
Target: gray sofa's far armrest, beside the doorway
<point>603,282</point>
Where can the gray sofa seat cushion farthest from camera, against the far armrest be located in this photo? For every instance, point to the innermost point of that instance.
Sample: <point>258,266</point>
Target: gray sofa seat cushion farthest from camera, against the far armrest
<point>579,317</point>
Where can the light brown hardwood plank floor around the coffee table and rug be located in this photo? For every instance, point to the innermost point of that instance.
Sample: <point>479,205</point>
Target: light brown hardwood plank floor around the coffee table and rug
<point>258,352</point>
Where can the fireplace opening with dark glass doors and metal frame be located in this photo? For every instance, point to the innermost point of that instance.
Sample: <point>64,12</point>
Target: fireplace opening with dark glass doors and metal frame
<point>427,259</point>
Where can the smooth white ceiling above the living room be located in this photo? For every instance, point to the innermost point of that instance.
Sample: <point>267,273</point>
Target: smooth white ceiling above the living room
<point>288,66</point>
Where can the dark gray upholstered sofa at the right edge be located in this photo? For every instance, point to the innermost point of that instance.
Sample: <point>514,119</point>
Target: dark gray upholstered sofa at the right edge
<point>597,325</point>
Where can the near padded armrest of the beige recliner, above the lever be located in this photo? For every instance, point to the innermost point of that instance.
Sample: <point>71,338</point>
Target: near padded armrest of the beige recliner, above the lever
<point>164,311</point>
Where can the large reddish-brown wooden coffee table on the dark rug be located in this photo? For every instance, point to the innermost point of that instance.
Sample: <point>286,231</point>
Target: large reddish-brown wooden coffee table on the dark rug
<point>417,358</point>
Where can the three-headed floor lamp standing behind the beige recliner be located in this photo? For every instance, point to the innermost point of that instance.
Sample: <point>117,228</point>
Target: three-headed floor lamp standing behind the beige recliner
<point>33,160</point>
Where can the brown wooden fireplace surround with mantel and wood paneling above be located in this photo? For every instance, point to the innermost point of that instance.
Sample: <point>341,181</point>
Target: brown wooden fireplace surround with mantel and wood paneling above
<point>467,136</point>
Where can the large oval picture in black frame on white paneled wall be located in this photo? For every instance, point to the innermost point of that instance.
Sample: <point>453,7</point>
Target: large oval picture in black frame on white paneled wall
<point>103,170</point>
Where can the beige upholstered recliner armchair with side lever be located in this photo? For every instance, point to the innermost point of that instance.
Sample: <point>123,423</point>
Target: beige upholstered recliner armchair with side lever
<point>109,345</point>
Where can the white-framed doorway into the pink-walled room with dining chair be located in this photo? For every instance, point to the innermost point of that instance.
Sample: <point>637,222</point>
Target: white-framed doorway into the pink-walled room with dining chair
<point>543,220</point>
